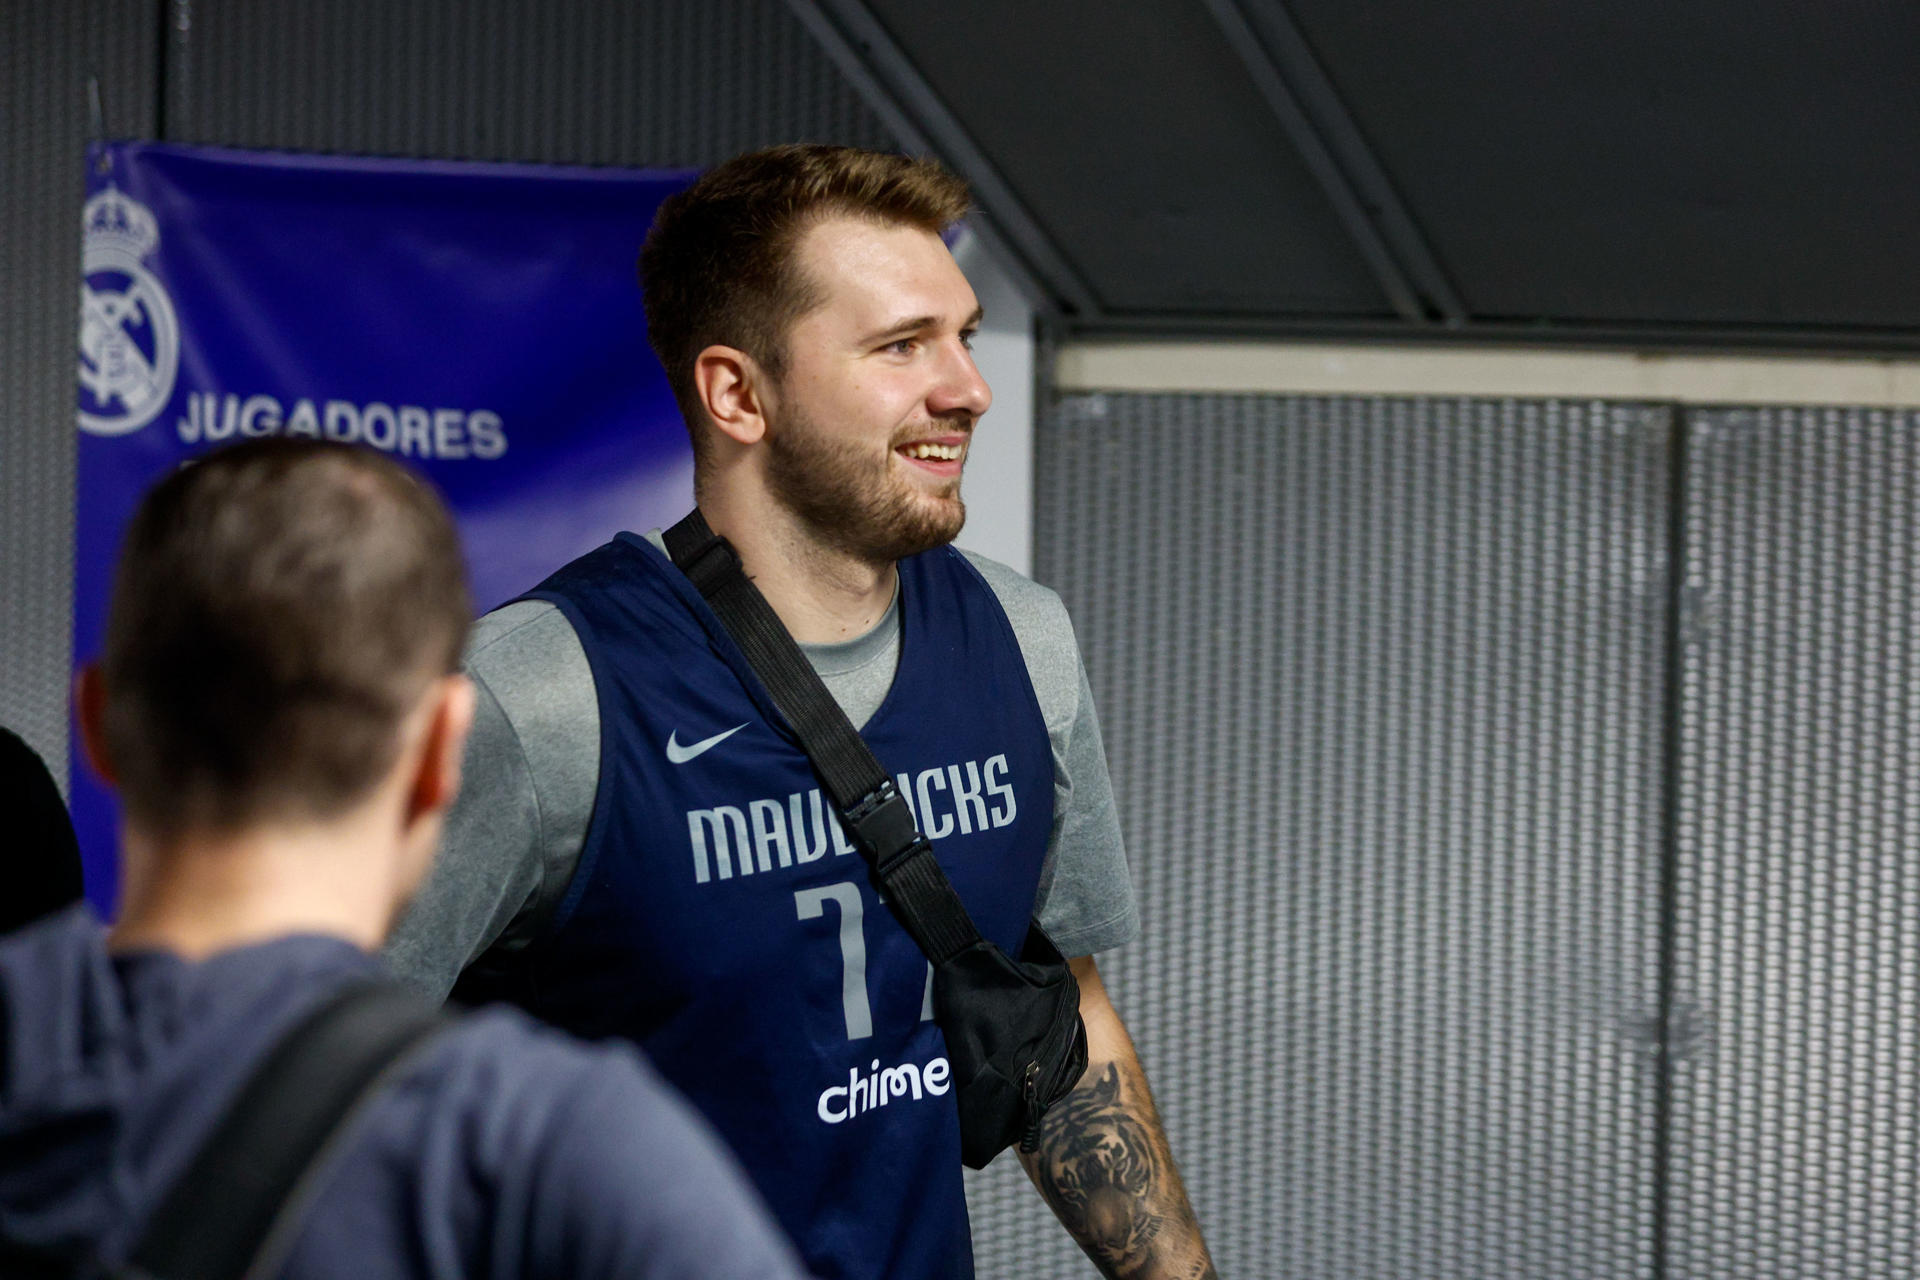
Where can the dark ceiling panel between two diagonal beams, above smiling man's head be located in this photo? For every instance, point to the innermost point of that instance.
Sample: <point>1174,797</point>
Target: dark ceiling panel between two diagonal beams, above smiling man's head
<point>1138,141</point>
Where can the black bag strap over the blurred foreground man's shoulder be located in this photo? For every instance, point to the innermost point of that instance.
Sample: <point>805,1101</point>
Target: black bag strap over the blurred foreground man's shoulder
<point>235,1210</point>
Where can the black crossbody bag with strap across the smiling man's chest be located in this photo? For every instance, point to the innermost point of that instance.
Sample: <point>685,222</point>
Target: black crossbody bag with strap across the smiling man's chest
<point>1013,1026</point>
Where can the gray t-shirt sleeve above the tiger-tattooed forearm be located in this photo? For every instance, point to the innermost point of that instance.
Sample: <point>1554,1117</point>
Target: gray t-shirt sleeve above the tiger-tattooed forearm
<point>1086,899</point>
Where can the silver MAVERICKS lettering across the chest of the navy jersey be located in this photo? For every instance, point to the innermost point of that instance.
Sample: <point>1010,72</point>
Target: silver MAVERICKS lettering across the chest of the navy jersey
<point>948,801</point>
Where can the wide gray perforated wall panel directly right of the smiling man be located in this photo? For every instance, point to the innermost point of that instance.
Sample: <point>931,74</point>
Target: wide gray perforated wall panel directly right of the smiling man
<point>1381,688</point>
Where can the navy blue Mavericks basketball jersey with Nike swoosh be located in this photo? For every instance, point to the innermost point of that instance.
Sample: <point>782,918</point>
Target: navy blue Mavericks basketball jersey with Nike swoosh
<point>723,920</point>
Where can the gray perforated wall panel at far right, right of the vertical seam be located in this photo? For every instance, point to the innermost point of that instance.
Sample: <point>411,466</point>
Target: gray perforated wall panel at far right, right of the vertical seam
<point>1798,1099</point>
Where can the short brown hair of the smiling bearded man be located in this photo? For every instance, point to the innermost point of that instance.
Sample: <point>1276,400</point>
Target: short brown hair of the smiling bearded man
<point>719,266</point>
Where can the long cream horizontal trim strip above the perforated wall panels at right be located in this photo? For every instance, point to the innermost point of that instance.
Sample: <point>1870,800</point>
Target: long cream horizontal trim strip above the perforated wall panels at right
<point>1332,369</point>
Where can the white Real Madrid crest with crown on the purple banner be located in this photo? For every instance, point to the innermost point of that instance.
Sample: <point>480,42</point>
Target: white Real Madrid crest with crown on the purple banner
<point>130,335</point>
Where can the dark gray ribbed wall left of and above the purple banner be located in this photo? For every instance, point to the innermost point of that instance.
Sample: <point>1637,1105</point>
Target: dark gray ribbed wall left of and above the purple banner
<point>594,82</point>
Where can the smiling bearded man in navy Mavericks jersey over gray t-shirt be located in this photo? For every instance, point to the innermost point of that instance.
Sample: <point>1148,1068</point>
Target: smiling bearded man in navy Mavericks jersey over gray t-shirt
<point>644,849</point>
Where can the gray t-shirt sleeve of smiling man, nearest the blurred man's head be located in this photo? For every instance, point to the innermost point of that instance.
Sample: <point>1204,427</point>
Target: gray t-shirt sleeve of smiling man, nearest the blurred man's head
<point>527,797</point>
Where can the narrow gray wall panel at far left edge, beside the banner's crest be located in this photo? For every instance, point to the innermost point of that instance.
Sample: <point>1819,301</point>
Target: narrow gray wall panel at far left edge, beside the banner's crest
<point>47,53</point>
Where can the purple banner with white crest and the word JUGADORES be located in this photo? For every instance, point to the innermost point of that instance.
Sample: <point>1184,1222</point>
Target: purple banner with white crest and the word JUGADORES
<point>477,321</point>
